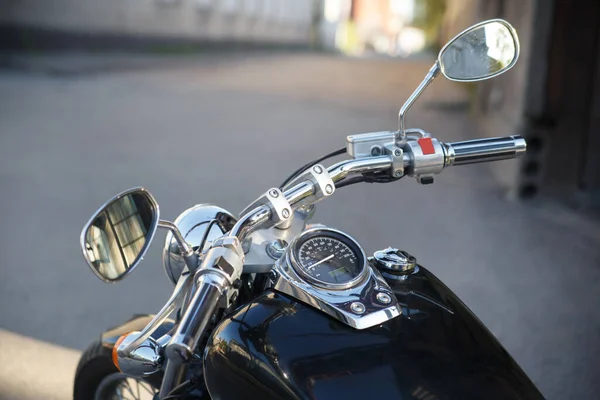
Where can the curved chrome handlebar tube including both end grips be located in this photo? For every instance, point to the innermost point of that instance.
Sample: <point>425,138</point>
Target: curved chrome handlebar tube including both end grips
<point>210,286</point>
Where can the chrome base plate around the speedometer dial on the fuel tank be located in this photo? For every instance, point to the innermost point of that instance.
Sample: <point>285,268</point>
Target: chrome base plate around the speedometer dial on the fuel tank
<point>337,303</point>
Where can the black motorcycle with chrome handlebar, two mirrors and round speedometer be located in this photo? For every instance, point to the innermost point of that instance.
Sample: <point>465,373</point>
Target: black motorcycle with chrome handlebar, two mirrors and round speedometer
<point>268,306</point>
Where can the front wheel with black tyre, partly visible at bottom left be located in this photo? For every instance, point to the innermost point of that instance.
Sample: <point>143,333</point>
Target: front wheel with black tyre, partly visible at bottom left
<point>97,378</point>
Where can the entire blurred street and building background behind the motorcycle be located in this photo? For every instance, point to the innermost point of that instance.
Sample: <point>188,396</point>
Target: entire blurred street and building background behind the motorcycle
<point>218,100</point>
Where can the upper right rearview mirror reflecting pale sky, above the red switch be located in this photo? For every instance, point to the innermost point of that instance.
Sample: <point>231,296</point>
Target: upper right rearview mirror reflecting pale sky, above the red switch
<point>481,52</point>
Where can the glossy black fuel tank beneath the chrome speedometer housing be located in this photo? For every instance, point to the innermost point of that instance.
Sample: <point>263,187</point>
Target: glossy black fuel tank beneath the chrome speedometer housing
<point>279,348</point>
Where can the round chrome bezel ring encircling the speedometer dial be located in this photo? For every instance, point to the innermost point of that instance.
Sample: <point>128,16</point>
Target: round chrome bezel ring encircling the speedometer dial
<point>298,240</point>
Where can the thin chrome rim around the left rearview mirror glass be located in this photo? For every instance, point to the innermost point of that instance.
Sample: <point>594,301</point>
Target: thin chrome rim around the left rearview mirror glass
<point>155,221</point>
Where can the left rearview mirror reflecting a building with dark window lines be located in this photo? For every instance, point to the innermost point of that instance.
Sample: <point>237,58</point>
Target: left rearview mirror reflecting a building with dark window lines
<point>116,238</point>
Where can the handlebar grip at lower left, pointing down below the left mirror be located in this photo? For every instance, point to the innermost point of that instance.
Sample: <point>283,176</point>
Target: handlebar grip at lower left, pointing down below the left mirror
<point>194,321</point>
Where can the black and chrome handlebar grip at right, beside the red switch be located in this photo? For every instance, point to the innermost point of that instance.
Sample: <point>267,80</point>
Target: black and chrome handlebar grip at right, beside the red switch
<point>483,150</point>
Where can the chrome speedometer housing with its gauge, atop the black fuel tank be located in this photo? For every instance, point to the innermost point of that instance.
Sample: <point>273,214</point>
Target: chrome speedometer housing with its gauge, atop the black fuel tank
<point>362,300</point>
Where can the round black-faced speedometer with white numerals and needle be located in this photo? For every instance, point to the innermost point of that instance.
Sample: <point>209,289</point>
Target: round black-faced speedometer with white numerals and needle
<point>328,258</point>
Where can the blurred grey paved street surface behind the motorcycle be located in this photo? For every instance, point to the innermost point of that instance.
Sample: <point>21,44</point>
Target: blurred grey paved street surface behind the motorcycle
<point>222,129</point>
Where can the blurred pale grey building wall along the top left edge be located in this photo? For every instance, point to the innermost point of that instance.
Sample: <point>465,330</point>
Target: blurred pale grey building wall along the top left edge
<point>244,20</point>
